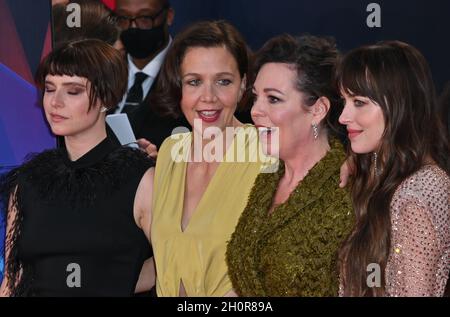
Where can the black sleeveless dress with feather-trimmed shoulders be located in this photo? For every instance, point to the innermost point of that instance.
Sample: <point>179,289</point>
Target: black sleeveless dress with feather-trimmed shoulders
<point>74,232</point>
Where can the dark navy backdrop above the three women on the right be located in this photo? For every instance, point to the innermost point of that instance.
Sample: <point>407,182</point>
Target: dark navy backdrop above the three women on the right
<point>422,23</point>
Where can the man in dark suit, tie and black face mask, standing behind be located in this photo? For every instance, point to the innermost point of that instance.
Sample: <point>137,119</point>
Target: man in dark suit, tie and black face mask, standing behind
<point>145,36</point>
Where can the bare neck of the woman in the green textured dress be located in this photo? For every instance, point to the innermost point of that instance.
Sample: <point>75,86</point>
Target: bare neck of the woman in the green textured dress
<point>298,163</point>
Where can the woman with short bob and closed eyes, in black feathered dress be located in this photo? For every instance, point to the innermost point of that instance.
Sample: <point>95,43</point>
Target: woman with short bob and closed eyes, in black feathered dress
<point>77,217</point>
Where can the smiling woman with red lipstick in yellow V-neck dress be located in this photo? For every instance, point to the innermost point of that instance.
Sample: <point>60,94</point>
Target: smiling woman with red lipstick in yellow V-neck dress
<point>203,177</point>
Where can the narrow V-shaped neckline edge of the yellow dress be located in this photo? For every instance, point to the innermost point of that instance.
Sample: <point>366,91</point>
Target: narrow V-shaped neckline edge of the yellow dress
<point>209,187</point>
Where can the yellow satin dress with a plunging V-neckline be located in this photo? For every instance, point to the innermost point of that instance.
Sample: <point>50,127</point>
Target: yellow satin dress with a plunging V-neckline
<point>196,257</point>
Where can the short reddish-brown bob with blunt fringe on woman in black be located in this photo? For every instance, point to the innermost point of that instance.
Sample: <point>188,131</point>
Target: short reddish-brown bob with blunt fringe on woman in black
<point>101,64</point>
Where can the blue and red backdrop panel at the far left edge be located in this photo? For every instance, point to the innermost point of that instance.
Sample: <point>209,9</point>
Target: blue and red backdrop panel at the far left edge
<point>22,125</point>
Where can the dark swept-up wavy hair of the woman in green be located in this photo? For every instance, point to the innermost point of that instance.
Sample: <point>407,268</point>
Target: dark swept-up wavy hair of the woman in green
<point>314,59</point>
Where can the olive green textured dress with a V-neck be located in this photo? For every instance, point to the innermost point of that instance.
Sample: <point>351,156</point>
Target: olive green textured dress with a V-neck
<point>293,251</point>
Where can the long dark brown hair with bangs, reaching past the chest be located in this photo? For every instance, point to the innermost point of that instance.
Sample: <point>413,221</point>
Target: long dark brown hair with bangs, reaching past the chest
<point>396,76</point>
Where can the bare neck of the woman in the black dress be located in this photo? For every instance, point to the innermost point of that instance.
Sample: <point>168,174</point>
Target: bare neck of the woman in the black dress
<point>78,145</point>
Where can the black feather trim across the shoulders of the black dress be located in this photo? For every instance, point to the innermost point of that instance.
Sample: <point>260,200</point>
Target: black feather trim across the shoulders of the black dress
<point>52,178</point>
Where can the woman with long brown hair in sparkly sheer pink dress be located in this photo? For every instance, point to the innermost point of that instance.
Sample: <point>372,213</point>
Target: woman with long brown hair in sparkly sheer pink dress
<point>401,185</point>
